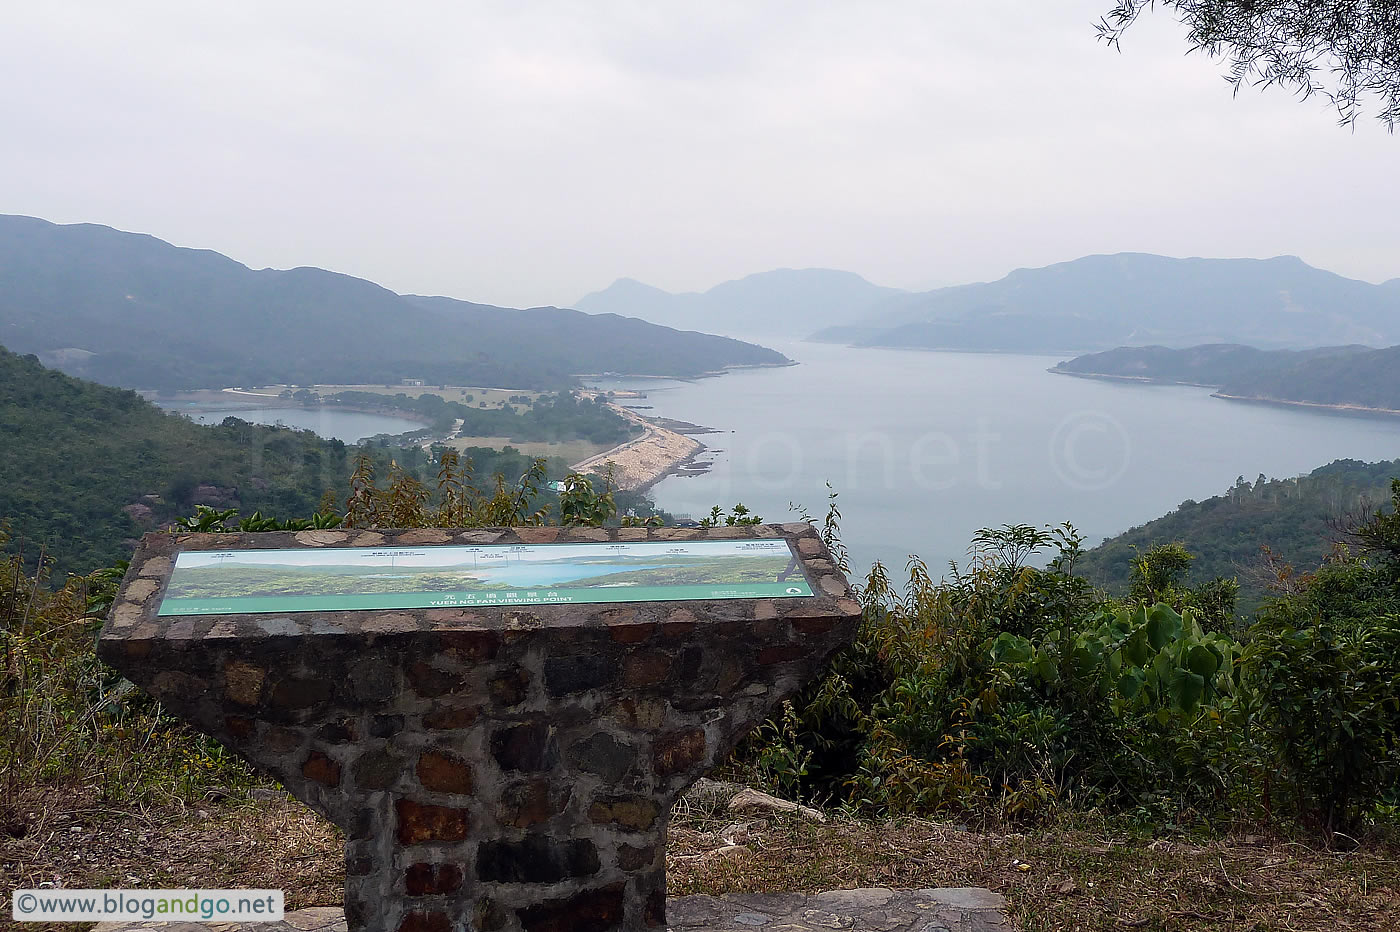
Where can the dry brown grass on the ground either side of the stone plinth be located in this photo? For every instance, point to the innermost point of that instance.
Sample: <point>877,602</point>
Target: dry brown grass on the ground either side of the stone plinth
<point>1070,881</point>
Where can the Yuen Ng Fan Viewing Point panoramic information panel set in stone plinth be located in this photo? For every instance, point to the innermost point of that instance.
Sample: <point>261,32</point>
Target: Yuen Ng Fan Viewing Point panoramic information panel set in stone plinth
<point>363,579</point>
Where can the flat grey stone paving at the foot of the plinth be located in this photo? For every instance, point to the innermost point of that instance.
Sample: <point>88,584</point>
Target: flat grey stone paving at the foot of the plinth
<point>869,910</point>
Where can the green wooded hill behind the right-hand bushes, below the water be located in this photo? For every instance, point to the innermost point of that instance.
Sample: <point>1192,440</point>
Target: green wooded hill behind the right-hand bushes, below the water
<point>1300,520</point>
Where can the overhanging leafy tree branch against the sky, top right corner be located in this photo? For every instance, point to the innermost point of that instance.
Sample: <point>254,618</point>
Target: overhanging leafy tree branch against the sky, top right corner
<point>1345,50</point>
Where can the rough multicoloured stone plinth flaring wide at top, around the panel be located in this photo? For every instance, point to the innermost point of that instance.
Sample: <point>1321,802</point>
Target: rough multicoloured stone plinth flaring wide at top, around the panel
<point>495,768</point>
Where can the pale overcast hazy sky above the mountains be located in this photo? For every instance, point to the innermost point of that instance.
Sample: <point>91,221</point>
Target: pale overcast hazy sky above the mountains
<point>530,153</point>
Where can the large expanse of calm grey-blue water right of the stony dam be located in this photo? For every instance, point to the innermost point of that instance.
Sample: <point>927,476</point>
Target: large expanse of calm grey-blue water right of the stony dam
<point>925,449</point>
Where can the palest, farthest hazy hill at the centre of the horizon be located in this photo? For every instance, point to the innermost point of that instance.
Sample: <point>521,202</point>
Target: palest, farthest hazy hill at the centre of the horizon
<point>769,304</point>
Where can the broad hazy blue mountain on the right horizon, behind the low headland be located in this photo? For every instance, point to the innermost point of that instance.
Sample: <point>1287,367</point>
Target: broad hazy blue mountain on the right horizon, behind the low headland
<point>1135,299</point>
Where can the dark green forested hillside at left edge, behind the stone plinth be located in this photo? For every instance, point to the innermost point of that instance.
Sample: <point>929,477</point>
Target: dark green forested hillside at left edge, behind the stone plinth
<point>87,468</point>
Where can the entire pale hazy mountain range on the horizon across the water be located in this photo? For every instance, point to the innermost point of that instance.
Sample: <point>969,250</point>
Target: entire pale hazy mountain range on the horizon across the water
<point>1087,304</point>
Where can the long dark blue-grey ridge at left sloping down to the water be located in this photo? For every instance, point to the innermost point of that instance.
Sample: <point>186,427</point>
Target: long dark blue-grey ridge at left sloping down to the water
<point>134,311</point>
